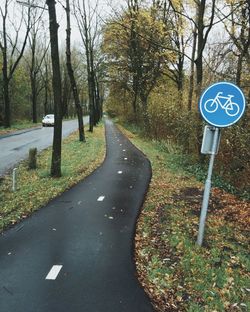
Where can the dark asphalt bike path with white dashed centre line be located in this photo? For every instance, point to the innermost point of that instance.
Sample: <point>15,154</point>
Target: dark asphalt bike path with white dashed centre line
<point>87,234</point>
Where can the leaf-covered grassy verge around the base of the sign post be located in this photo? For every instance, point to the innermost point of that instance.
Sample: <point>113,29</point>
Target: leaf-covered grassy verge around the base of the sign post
<point>177,275</point>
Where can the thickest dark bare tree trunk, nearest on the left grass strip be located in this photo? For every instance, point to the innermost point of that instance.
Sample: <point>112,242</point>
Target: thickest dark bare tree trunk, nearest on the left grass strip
<point>57,90</point>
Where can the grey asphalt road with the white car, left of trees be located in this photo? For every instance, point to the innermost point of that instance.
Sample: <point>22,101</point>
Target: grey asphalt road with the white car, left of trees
<point>16,147</point>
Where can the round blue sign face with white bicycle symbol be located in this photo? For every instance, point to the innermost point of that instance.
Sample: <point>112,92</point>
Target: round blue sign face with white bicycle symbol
<point>222,104</point>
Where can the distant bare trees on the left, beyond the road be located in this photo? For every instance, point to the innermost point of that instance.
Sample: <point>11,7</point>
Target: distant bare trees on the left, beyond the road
<point>26,76</point>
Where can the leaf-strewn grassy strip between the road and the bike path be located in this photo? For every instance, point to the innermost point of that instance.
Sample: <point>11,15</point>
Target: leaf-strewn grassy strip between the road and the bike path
<point>36,188</point>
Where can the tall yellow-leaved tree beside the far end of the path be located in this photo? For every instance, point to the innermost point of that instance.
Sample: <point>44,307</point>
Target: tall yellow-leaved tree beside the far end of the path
<point>137,45</point>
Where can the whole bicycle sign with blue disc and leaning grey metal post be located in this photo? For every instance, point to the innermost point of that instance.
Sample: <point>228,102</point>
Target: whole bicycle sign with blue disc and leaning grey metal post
<point>221,105</point>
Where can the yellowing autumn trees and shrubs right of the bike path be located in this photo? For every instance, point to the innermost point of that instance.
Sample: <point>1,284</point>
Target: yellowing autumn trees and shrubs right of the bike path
<point>146,49</point>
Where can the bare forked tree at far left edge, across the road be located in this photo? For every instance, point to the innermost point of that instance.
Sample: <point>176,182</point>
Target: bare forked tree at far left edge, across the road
<point>11,51</point>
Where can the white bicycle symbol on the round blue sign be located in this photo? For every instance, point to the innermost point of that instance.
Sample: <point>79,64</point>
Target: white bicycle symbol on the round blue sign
<point>231,108</point>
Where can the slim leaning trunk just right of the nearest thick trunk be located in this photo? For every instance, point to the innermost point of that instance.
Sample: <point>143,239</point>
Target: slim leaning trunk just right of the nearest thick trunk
<point>72,77</point>
